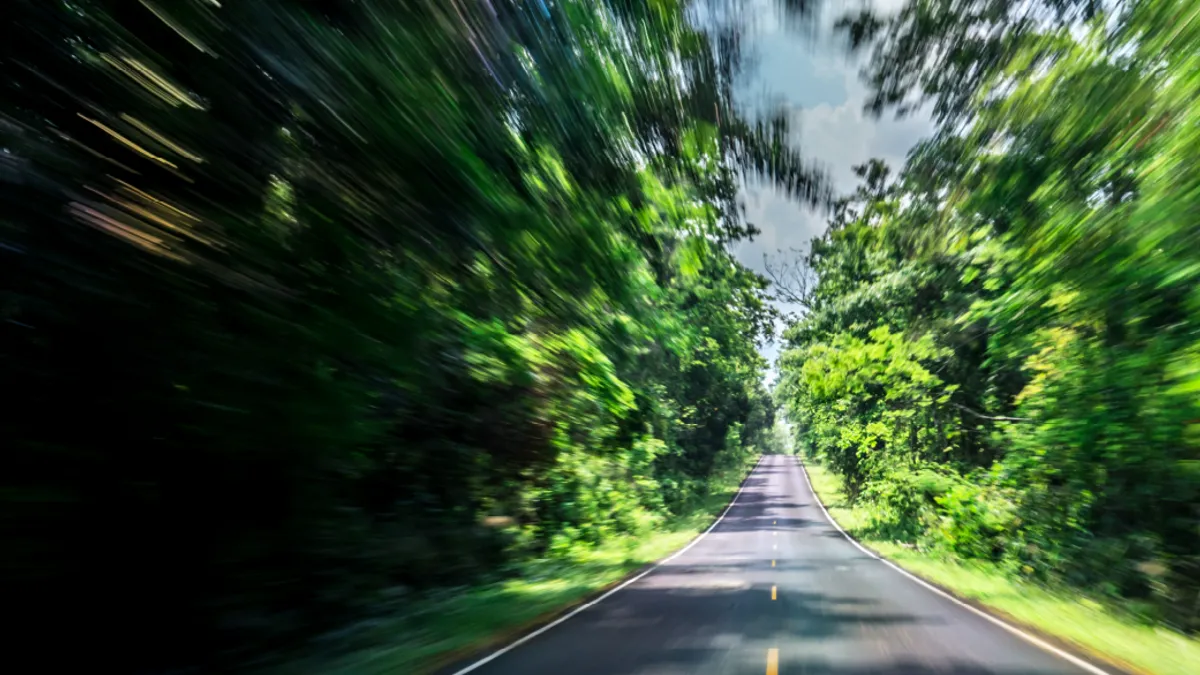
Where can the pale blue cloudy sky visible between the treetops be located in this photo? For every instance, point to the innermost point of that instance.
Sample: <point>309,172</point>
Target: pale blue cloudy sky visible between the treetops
<point>811,74</point>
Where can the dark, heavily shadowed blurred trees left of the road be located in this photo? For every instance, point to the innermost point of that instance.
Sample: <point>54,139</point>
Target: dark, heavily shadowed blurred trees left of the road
<point>307,304</point>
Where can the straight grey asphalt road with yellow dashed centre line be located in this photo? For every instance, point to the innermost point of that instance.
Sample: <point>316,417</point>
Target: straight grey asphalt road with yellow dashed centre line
<point>775,586</point>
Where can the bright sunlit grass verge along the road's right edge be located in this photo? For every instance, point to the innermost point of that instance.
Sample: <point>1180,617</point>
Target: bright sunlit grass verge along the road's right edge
<point>1084,624</point>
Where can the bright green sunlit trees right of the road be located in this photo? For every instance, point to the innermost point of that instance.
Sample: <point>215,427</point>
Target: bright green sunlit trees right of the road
<point>1001,356</point>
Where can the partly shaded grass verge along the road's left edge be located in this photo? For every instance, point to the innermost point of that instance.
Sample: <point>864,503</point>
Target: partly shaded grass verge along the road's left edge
<point>454,624</point>
